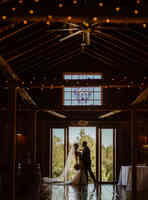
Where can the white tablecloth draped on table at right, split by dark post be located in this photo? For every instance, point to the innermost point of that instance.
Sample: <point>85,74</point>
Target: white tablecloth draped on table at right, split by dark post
<point>125,177</point>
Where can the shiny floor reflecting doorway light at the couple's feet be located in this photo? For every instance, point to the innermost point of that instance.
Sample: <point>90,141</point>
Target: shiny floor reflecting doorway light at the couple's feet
<point>69,192</point>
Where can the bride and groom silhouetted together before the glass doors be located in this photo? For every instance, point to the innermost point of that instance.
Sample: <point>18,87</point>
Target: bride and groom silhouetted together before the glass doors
<point>82,167</point>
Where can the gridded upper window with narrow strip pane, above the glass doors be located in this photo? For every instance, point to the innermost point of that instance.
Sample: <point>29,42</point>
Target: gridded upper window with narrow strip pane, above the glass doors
<point>76,96</point>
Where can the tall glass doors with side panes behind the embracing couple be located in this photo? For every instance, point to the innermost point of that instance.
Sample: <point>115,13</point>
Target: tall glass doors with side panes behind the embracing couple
<point>102,143</point>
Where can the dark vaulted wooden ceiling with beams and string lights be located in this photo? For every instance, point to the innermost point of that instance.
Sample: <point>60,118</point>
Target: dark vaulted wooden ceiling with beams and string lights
<point>39,41</point>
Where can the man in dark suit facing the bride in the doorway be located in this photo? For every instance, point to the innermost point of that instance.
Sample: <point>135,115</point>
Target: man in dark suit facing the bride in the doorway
<point>86,158</point>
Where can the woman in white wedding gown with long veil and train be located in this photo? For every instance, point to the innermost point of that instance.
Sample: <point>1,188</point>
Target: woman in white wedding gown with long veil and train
<point>79,177</point>
